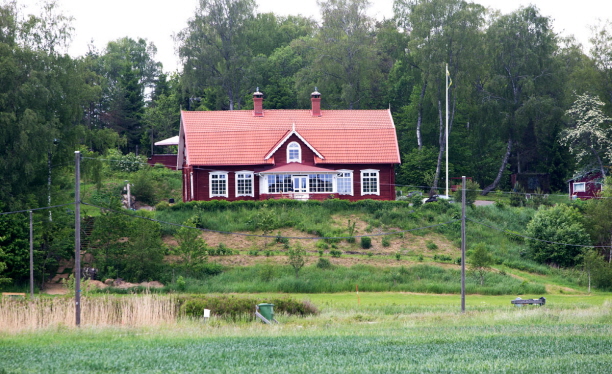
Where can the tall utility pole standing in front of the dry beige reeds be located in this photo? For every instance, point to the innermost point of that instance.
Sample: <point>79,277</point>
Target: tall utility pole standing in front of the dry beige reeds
<point>77,237</point>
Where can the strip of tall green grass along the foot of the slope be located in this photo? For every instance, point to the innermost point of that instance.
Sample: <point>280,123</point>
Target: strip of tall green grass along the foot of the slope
<point>327,279</point>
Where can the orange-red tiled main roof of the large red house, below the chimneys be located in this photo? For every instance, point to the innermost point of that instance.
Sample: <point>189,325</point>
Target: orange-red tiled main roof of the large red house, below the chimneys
<point>340,136</point>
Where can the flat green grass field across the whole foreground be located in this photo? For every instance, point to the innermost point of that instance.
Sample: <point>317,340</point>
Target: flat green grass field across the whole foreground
<point>570,334</point>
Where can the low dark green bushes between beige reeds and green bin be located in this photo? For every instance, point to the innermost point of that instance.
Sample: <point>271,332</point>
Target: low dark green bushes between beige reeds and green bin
<point>233,308</point>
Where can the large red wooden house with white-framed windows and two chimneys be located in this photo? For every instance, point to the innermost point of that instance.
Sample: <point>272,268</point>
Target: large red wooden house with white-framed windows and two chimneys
<point>301,154</point>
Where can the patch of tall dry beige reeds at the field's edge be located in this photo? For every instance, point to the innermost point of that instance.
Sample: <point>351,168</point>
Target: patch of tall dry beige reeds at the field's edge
<point>134,311</point>
